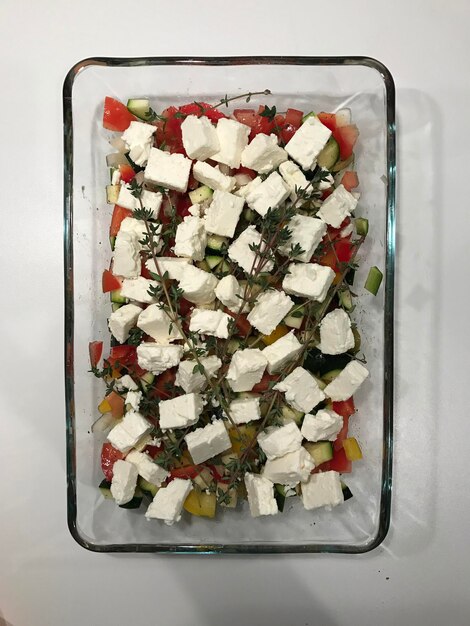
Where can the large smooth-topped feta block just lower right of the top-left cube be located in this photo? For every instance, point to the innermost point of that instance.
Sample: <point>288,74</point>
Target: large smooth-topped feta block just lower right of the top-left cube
<point>169,170</point>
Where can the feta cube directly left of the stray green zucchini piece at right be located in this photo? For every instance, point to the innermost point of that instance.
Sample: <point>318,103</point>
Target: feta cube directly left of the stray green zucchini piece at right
<point>308,280</point>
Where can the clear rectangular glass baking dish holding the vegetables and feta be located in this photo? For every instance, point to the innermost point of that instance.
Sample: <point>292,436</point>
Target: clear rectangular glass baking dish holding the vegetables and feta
<point>306,83</point>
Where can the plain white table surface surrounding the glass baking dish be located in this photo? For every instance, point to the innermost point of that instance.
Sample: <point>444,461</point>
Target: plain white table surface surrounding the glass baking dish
<point>421,574</point>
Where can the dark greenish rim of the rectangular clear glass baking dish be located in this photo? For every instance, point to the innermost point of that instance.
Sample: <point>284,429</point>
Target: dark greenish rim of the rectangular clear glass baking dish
<point>386,486</point>
